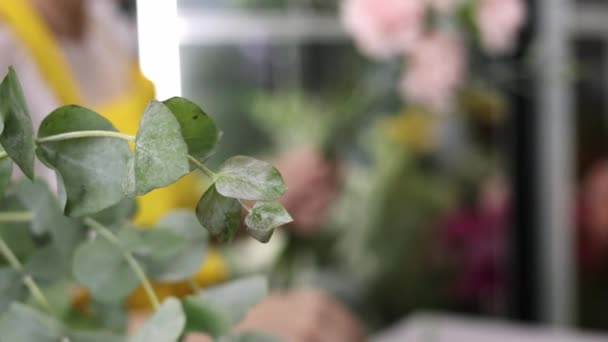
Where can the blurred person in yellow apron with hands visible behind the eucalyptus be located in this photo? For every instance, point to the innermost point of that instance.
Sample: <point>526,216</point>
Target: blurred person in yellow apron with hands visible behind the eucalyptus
<point>80,52</point>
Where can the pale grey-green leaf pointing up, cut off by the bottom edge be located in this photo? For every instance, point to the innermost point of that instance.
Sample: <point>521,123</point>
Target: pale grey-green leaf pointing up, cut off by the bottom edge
<point>166,325</point>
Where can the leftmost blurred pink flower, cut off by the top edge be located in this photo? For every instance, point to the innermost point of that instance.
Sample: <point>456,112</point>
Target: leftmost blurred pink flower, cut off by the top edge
<point>384,28</point>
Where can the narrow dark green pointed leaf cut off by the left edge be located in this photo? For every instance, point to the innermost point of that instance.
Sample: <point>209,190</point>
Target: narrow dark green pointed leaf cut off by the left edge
<point>17,132</point>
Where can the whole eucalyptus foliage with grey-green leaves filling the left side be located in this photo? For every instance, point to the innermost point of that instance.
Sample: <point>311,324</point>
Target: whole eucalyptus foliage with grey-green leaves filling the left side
<point>84,234</point>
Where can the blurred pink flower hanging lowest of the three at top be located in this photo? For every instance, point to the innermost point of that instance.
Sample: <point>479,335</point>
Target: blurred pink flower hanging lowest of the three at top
<point>434,71</point>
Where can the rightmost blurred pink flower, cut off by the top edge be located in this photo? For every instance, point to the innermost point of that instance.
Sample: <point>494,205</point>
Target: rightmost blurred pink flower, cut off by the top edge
<point>499,23</point>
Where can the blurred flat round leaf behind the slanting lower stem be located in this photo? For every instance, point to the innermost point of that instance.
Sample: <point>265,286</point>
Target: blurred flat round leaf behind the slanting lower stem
<point>102,268</point>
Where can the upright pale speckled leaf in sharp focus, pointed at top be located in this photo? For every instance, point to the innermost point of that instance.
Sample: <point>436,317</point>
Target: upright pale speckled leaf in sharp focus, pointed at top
<point>161,155</point>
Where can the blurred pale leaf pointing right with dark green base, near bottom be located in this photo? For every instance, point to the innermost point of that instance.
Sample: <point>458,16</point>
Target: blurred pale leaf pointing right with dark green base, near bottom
<point>215,310</point>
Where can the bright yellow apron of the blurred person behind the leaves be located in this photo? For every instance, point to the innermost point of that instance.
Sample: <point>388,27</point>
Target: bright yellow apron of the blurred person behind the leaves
<point>124,113</point>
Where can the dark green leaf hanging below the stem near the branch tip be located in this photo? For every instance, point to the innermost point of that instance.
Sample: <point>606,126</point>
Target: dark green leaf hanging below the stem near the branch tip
<point>220,215</point>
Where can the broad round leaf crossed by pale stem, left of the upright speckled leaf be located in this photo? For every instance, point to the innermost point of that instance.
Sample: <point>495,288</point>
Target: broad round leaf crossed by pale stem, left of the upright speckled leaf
<point>91,169</point>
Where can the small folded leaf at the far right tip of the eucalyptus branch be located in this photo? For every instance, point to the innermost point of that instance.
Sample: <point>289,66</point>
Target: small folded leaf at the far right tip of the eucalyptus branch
<point>264,217</point>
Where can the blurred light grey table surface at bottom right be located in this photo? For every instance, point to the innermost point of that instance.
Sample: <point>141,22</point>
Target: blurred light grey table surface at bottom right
<point>431,327</point>
